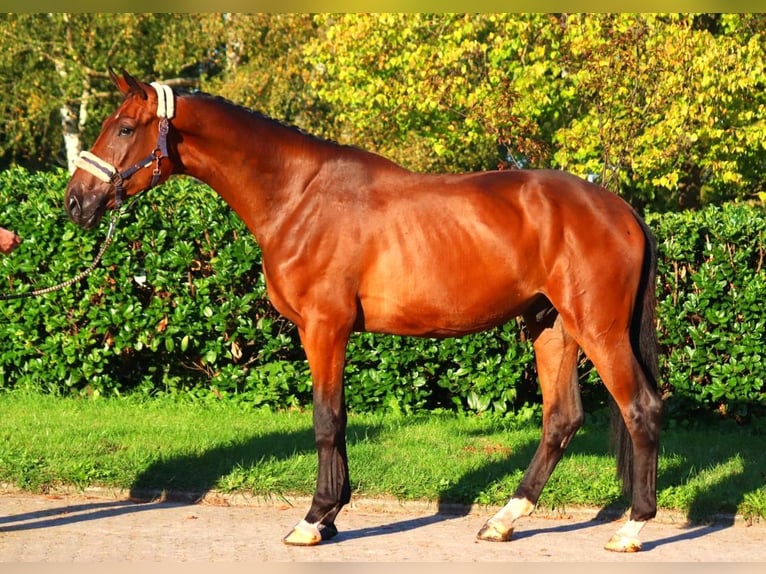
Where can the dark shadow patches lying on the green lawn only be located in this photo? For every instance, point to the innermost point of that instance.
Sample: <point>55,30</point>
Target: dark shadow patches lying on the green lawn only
<point>189,477</point>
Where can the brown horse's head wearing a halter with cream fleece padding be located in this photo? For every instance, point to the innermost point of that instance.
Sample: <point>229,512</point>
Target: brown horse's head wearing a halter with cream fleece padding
<point>130,155</point>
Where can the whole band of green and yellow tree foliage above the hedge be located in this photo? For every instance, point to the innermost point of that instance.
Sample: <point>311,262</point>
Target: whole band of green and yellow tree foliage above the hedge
<point>664,109</point>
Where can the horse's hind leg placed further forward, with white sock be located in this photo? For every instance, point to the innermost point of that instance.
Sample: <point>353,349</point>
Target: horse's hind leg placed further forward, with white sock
<point>556,355</point>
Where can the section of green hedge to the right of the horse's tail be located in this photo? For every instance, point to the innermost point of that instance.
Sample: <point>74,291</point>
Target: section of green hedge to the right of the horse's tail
<point>712,316</point>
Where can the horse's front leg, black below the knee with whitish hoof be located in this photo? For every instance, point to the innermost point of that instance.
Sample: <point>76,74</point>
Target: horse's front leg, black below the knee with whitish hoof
<point>325,347</point>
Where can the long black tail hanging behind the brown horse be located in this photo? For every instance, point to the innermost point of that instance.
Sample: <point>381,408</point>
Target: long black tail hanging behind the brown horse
<point>643,336</point>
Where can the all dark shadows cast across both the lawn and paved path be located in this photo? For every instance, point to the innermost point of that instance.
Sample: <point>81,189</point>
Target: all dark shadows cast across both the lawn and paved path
<point>189,477</point>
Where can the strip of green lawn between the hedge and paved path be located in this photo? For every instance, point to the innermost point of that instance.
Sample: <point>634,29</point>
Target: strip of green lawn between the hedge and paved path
<point>174,445</point>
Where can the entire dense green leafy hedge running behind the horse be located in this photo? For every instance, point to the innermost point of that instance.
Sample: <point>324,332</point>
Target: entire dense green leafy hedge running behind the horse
<point>178,306</point>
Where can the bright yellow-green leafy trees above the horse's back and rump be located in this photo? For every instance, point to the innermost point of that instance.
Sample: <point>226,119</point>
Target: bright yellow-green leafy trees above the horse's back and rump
<point>666,110</point>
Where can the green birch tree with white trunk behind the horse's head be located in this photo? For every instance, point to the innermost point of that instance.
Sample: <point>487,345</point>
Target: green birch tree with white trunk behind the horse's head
<point>54,70</point>
